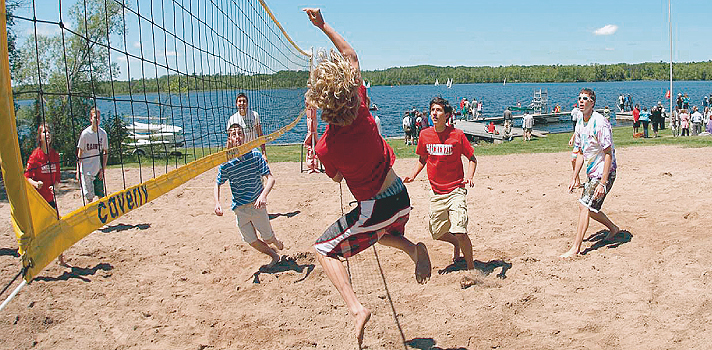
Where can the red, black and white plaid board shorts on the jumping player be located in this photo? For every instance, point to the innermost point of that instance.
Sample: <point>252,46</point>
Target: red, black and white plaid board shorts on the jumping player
<point>386,213</point>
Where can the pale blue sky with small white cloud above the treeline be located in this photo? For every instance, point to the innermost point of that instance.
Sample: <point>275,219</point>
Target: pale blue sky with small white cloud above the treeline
<point>490,33</point>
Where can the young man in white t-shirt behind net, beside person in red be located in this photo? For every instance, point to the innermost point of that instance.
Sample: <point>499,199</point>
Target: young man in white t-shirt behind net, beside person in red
<point>92,155</point>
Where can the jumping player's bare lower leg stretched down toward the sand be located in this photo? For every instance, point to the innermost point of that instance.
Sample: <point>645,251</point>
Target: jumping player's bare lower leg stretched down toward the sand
<point>337,275</point>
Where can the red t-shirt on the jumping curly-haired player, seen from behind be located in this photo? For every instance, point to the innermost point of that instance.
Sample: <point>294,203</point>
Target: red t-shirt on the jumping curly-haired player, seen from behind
<point>357,151</point>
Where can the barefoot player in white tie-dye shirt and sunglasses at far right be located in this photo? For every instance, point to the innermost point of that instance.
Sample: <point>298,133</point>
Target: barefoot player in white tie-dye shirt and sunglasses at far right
<point>594,142</point>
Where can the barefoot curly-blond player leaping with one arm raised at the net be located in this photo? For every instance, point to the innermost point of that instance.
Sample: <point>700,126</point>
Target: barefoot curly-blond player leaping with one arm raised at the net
<point>351,150</point>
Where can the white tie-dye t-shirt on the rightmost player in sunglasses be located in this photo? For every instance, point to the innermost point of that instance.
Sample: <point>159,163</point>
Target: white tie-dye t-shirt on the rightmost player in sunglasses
<point>592,138</point>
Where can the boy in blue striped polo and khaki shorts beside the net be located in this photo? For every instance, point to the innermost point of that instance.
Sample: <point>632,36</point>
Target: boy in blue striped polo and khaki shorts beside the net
<point>249,196</point>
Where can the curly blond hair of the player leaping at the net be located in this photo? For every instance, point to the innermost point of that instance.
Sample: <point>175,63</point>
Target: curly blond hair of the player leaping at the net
<point>333,87</point>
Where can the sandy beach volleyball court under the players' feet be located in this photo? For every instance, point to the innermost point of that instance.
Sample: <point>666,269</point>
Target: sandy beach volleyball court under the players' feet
<point>172,275</point>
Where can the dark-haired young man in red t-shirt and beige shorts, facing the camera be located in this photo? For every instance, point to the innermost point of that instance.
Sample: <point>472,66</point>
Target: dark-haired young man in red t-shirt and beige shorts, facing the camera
<point>441,147</point>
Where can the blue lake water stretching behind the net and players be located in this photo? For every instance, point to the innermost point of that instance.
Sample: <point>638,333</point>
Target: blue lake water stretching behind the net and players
<point>203,123</point>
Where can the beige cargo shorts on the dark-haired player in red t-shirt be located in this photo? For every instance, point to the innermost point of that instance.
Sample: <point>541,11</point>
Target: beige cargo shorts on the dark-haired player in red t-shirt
<point>448,212</point>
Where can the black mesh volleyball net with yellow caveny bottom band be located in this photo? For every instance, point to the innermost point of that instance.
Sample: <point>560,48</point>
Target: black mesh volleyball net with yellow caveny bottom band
<point>164,75</point>
